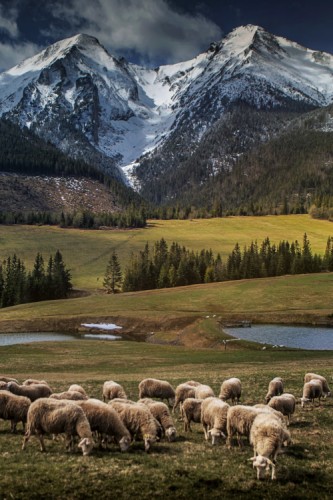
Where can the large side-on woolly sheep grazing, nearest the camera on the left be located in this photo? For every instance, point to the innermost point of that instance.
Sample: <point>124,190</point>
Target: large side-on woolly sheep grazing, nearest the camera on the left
<point>50,416</point>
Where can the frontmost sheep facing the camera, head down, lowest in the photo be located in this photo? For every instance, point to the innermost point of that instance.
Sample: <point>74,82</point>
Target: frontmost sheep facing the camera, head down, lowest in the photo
<point>267,436</point>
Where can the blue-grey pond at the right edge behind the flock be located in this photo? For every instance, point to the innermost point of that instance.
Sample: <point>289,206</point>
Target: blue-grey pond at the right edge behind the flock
<point>302,337</point>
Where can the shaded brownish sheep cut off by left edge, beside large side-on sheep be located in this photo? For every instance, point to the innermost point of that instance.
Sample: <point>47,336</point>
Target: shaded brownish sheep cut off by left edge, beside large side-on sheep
<point>14,408</point>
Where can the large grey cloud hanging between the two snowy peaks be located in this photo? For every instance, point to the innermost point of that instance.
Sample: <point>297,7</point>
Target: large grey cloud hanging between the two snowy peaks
<point>153,29</point>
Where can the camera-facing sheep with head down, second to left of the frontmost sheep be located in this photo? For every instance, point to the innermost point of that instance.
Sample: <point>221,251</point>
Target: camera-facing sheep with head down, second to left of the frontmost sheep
<point>214,418</point>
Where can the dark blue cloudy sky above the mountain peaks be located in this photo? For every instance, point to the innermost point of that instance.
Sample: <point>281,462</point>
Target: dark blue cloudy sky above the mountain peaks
<point>155,32</point>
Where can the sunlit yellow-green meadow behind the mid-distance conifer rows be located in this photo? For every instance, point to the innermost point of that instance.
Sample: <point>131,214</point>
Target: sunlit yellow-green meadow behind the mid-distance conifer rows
<point>86,252</point>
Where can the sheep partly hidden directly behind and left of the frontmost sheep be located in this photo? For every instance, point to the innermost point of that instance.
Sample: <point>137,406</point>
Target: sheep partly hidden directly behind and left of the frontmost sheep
<point>239,420</point>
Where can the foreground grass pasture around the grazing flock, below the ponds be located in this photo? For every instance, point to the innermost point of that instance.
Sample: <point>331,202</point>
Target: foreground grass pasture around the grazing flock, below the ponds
<point>188,468</point>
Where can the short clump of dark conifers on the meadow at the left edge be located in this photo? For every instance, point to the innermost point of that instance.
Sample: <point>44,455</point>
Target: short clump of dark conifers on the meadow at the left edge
<point>45,282</point>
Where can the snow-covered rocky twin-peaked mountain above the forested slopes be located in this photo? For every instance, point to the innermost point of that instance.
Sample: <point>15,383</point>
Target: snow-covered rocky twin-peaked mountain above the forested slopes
<point>146,126</point>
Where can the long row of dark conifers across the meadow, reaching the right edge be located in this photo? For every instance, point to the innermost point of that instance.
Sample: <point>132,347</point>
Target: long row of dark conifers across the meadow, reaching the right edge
<point>163,266</point>
